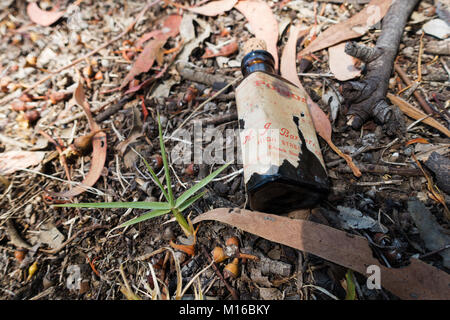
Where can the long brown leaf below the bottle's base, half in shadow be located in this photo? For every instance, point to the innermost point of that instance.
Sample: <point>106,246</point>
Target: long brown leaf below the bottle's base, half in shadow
<point>418,280</point>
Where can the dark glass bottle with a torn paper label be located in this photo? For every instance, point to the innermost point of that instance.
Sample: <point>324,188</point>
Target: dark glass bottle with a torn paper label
<point>283,165</point>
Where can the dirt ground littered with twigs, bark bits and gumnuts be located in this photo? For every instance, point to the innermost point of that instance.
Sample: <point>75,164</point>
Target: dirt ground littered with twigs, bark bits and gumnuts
<point>77,254</point>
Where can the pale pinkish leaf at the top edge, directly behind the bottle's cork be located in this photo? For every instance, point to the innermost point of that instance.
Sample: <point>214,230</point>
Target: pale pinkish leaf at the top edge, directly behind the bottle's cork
<point>263,23</point>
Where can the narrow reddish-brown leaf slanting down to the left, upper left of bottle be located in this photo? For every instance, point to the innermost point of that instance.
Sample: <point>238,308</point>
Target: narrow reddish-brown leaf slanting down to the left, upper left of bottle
<point>145,60</point>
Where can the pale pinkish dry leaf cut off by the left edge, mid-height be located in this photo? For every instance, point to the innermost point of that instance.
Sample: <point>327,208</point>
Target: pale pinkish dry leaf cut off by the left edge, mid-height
<point>12,161</point>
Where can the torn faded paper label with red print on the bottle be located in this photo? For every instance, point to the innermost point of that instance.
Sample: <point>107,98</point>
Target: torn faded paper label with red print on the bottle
<point>275,125</point>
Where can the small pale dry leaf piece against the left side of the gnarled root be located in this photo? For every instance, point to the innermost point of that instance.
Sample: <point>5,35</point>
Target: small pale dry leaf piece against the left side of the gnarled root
<point>342,65</point>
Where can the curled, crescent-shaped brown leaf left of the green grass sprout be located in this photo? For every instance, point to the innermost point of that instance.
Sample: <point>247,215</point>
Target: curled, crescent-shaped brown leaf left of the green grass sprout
<point>99,148</point>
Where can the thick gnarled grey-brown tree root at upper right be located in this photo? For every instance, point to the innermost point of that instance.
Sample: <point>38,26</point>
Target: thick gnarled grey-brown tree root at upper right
<point>366,98</point>
